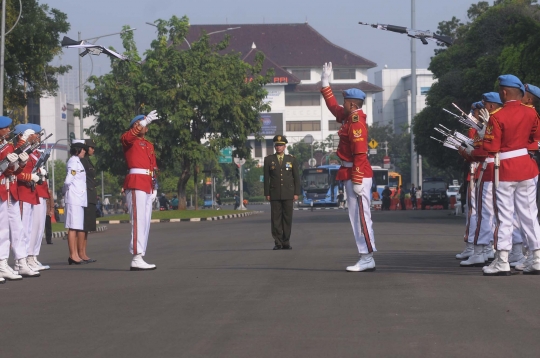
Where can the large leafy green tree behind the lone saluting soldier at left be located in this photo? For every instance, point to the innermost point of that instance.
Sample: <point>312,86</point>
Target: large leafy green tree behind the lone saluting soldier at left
<point>203,96</point>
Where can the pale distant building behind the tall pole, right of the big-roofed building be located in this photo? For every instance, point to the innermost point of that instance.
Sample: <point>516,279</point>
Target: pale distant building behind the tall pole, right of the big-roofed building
<point>392,105</point>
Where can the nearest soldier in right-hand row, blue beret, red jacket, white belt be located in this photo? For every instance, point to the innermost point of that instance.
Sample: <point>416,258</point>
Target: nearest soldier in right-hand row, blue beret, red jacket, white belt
<point>508,134</point>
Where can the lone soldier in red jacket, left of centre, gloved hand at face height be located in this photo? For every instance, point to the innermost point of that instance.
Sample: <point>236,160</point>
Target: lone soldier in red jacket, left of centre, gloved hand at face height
<point>140,186</point>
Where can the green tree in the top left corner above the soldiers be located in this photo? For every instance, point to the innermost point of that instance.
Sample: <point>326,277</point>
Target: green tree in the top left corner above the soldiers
<point>30,47</point>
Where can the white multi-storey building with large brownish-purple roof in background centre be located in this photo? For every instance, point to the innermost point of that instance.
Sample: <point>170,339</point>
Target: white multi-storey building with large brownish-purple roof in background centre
<point>296,53</point>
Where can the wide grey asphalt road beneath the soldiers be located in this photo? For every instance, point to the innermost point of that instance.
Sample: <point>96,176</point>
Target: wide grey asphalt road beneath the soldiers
<point>220,291</point>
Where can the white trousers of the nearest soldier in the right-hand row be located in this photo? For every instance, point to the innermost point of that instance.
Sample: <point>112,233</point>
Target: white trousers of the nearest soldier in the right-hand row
<point>518,197</point>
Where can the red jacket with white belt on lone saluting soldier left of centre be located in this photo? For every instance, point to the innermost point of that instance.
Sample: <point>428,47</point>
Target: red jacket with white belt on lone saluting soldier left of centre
<point>139,154</point>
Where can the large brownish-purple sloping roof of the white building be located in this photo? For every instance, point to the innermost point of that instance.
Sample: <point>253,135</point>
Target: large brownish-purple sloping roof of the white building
<point>289,45</point>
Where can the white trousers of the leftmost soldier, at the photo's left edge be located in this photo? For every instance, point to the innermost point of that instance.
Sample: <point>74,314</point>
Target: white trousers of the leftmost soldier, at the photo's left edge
<point>11,230</point>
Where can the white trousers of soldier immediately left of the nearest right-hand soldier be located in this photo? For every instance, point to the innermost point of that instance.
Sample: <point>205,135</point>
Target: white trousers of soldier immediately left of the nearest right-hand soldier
<point>483,228</point>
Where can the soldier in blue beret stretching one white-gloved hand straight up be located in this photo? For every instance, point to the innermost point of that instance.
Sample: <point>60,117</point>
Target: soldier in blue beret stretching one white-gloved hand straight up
<point>355,169</point>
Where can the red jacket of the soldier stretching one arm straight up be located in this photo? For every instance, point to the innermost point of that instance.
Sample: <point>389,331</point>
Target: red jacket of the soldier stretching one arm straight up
<point>353,140</point>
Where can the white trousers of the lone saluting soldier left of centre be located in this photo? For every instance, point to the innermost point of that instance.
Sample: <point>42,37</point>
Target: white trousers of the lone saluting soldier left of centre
<point>140,210</point>
